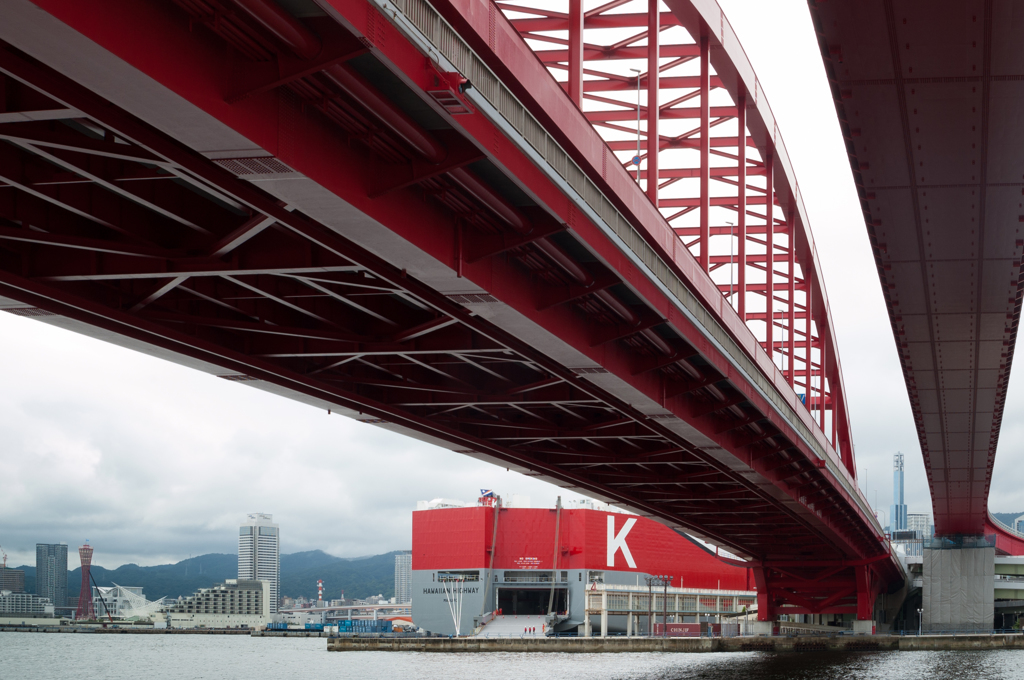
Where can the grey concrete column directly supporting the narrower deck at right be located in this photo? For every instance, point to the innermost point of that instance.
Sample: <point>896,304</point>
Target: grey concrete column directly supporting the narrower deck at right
<point>959,585</point>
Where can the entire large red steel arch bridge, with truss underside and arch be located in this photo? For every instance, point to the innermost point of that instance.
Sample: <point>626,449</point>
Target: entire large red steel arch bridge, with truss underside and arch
<point>566,241</point>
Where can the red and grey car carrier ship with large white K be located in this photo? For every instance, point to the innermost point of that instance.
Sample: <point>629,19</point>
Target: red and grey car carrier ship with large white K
<point>556,570</point>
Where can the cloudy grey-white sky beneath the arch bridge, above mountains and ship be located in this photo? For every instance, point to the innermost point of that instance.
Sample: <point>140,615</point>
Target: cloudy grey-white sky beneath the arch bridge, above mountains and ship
<point>153,462</point>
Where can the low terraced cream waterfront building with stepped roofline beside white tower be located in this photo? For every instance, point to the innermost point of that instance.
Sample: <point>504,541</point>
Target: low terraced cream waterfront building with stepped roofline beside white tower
<point>237,603</point>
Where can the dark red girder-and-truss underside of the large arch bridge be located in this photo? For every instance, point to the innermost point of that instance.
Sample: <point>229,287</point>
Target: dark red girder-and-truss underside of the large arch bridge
<point>227,206</point>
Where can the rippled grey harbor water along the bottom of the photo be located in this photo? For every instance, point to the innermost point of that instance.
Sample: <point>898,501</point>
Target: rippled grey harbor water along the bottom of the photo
<point>42,657</point>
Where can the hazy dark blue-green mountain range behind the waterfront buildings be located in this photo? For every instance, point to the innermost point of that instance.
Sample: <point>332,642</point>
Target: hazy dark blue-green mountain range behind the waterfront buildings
<point>359,577</point>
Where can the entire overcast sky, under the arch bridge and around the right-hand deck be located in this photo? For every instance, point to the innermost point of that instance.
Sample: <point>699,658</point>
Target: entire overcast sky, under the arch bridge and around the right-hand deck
<point>153,462</point>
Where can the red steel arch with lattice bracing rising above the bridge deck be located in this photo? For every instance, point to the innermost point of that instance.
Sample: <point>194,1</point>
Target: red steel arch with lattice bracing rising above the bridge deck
<point>710,182</point>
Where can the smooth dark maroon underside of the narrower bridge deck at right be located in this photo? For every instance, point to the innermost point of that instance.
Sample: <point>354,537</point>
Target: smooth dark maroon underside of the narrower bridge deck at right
<point>928,98</point>
